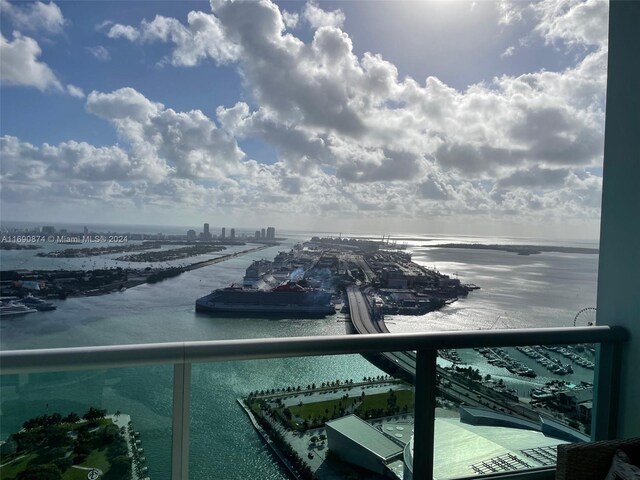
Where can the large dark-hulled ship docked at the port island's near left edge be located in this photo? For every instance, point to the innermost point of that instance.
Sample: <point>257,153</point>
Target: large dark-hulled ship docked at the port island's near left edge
<point>290,298</point>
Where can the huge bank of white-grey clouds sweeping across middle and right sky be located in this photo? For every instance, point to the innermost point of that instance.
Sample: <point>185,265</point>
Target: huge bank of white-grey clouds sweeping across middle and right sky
<point>351,137</point>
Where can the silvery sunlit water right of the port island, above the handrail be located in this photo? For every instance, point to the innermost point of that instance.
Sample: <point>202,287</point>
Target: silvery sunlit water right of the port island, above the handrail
<point>543,290</point>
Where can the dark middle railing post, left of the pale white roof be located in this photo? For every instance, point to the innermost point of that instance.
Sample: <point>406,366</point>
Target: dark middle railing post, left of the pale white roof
<point>425,411</point>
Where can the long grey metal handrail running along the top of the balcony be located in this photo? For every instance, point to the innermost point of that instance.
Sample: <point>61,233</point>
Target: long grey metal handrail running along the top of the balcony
<point>84,358</point>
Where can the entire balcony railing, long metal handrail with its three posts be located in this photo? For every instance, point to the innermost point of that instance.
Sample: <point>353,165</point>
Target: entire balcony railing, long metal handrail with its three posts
<point>183,354</point>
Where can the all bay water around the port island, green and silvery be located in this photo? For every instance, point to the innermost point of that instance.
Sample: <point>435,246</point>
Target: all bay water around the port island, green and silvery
<point>516,291</point>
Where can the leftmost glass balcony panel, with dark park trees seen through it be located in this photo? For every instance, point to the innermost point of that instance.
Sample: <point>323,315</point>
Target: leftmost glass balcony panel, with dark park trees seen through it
<point>52,404</point>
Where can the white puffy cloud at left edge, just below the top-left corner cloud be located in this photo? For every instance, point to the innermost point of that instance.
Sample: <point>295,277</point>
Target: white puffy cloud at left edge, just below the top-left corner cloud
<point>20,64</point>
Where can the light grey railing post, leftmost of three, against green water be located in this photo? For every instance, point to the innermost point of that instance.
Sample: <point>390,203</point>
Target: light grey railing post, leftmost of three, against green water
<point>180,427</point>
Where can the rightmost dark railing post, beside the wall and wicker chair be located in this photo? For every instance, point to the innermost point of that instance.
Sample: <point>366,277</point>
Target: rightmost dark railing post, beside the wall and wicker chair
<point>604,419</point>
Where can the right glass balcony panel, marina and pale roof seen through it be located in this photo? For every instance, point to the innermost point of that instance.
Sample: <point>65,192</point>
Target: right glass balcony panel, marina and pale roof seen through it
<point>506,409</point>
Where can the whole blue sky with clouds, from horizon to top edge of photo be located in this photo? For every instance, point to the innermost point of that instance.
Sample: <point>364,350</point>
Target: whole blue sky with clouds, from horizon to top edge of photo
<point>448,117</point>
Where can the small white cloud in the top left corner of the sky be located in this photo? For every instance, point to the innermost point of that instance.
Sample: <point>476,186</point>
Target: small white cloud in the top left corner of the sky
<point>34,17</point>
